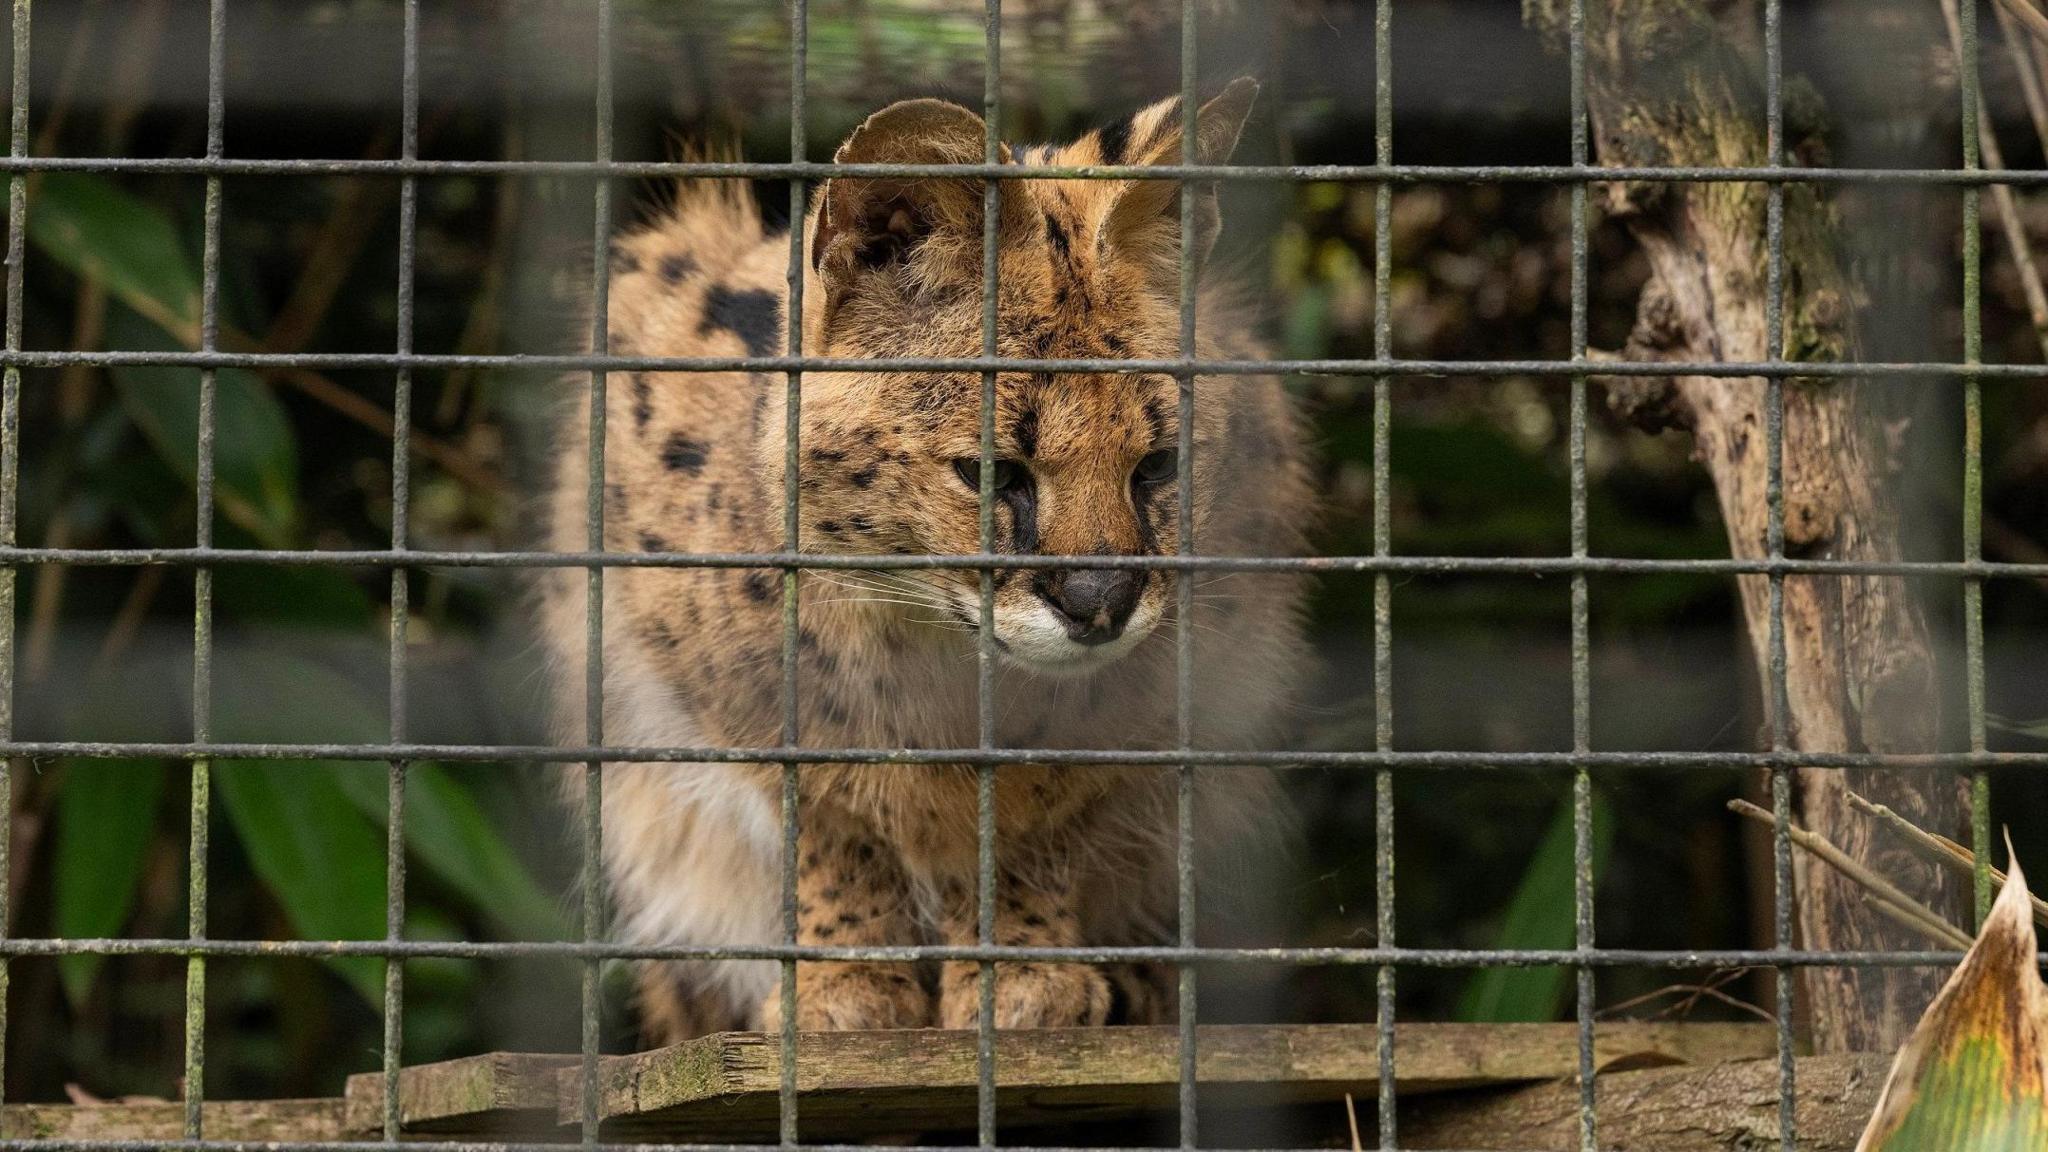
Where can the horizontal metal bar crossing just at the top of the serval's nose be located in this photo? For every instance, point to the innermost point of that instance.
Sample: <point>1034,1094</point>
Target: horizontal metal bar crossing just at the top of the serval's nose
<point>1002,561</point>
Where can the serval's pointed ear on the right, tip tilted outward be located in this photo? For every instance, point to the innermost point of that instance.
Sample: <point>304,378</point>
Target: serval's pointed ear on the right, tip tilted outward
<point>1146,218</point>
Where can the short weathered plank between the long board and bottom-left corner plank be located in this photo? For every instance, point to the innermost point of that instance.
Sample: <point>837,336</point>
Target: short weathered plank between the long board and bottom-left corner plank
<point>478,1096</point>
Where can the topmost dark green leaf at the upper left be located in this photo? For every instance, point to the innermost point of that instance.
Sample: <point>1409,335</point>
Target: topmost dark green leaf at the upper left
<point>97,229</point>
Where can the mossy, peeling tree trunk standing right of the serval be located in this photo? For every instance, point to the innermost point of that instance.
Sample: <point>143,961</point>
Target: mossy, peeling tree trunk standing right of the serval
<point>1680,83</point>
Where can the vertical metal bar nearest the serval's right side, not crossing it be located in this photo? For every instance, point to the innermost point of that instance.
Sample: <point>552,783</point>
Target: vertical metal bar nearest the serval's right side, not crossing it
<point>1383,606</point>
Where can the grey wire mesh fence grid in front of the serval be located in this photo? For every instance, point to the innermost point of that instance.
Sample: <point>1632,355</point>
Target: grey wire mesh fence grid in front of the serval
<point>1385,958</point>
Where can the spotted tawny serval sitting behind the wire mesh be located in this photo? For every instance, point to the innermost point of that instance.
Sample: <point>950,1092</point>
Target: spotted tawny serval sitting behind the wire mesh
<point>693,657</point>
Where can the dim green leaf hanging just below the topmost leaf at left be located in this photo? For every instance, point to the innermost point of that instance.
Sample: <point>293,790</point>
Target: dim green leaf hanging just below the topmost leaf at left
<point>255,454</point>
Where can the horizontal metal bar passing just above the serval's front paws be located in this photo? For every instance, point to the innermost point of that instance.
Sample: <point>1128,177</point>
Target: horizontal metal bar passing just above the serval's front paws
<point>1005,954</point>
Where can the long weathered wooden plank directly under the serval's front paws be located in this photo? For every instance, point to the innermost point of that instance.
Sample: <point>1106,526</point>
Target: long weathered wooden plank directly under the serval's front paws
<point>851,1085</point>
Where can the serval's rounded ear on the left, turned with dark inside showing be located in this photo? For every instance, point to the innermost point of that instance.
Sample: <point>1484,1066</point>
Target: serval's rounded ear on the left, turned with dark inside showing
<point>914,231</point>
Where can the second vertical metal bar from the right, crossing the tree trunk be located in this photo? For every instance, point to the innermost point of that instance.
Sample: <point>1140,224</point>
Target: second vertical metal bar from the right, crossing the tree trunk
<point>1775,460</point>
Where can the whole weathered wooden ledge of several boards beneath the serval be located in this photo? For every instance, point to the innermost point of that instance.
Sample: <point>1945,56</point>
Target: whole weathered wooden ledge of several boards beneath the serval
<point>896,1083</point>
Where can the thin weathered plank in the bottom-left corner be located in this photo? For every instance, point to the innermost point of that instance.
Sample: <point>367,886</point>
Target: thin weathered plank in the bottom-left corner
<point>269,1122</point>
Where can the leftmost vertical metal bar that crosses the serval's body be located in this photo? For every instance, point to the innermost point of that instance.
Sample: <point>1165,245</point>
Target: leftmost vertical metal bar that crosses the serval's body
<point>601,288</point>
